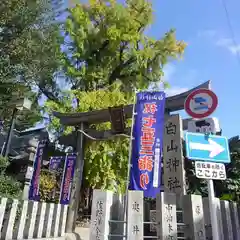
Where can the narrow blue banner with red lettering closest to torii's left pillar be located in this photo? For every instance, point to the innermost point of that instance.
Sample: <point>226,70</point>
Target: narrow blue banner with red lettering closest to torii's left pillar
<point>66,187</point>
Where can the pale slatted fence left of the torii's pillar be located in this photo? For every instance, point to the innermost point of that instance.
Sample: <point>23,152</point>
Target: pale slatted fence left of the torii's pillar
<point>27,219</point>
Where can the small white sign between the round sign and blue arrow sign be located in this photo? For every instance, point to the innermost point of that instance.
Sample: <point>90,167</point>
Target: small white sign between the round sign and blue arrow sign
<point>208,125</point>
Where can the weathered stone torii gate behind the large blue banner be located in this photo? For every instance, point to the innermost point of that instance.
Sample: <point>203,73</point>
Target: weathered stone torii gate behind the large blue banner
<point>82,120</point>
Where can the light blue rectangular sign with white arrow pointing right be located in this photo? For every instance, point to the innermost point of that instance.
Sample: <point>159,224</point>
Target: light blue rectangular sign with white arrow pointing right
<point>207,147</point>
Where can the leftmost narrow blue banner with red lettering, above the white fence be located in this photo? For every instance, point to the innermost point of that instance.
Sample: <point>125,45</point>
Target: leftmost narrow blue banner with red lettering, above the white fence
<point>37,164</point>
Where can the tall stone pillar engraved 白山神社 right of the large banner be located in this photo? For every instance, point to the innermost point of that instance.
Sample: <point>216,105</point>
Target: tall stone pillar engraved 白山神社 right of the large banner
<point>173,162</point>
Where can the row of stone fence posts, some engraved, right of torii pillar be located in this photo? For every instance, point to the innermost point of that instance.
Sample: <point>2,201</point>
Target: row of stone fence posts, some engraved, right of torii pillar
<point>175,217</point>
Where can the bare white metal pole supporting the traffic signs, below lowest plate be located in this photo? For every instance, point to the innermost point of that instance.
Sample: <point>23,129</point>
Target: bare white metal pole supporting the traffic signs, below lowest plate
<point>213,210</point>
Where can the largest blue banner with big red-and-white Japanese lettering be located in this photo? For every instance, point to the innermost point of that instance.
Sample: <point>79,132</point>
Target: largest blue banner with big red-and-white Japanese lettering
<point>145,172</point>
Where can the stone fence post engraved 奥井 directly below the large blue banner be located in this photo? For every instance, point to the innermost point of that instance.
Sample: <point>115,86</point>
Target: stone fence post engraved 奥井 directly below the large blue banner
<point>135,215</point>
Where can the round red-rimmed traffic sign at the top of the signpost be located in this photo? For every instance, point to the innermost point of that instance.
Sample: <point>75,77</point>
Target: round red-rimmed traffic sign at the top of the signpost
<point>201,103</point>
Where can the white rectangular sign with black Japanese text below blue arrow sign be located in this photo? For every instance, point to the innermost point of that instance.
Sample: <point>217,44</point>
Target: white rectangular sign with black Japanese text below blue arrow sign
<point>210,170</point>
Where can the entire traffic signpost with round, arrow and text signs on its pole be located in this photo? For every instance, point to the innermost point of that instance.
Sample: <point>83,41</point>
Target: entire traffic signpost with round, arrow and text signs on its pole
<point>214,149</point>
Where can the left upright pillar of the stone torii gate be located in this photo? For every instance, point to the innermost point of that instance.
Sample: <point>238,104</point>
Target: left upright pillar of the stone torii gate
<point>77,181</point>
